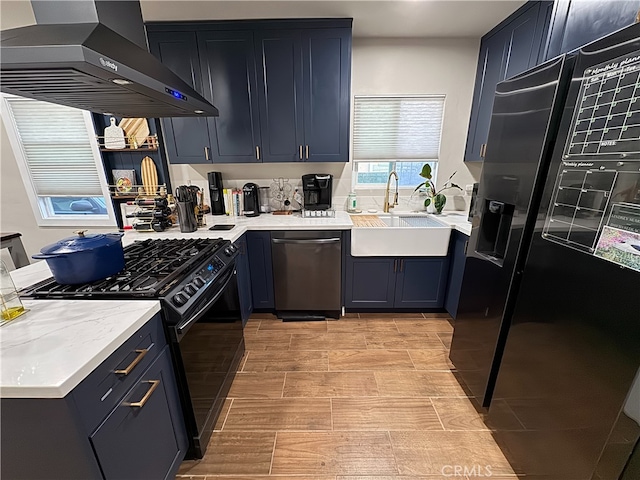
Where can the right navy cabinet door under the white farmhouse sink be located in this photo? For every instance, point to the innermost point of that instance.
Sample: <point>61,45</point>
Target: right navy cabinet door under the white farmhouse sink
<point>421,282</point>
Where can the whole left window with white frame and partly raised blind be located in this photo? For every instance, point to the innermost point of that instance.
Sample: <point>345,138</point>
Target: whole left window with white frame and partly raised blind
<point>59,161</point>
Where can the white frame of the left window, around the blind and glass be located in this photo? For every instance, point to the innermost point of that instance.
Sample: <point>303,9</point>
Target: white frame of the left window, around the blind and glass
<point>40,204</point>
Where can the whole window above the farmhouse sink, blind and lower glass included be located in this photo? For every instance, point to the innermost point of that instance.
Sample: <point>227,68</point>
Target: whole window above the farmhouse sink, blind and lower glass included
<point>399,133</point>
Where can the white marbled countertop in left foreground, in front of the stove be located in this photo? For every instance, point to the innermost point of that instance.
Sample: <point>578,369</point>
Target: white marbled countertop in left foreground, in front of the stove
<point>49,350</point>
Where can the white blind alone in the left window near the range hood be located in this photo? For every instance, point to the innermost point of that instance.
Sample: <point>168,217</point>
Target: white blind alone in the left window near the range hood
<point>57,148</point>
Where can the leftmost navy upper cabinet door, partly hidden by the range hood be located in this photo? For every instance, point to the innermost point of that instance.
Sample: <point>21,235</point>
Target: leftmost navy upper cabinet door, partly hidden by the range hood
<point>186,138</point>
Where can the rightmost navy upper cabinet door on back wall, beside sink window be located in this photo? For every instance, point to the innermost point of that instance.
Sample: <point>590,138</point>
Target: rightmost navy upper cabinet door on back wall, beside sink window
<point>327,80</point>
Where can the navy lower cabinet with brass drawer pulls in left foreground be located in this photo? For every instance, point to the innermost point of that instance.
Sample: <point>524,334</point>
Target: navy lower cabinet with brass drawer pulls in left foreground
<point>110,426</point>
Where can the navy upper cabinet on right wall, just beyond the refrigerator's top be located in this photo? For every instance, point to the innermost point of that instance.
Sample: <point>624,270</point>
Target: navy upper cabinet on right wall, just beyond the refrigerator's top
<point>509,49</point>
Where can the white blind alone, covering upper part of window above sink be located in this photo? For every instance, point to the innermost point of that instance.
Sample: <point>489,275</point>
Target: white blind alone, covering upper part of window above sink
<point>397,128</point>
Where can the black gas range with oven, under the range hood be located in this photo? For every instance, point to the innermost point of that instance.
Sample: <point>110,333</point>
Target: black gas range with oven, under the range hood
<point>195,281</point>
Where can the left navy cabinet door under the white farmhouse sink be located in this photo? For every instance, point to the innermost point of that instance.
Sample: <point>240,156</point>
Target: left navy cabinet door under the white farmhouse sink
<point>370,282</point>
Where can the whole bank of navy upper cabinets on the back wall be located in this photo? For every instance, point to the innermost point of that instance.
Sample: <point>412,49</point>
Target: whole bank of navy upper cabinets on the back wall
<point>282,89</point>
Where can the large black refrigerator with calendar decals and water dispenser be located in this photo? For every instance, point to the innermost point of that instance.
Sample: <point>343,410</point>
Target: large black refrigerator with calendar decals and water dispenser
<point>547,335</point>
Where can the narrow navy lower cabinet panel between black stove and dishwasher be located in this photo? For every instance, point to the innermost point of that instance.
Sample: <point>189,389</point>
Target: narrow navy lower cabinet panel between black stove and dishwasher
<point>261,267</point>
